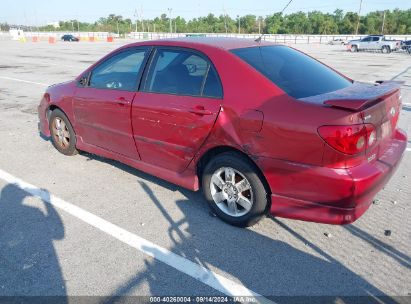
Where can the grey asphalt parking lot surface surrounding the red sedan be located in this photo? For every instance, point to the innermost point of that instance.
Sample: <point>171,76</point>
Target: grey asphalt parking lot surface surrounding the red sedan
<point>105,229</point>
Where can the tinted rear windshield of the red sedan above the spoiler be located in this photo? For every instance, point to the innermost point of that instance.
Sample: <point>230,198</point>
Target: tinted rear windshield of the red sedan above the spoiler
<point>295,73</point>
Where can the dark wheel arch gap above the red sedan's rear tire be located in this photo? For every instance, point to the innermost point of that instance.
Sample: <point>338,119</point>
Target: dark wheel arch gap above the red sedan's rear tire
<point>215,151</point>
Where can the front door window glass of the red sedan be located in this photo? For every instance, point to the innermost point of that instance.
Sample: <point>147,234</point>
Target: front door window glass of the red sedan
<point>120,72</point>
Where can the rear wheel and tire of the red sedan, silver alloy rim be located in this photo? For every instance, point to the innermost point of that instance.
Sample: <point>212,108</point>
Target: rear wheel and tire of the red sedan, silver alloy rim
<point>236,183</point>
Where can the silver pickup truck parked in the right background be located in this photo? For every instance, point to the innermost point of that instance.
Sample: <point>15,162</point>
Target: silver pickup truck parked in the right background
<point>374,42</point>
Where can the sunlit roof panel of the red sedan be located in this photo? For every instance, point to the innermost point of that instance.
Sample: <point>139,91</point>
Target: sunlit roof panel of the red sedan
<point>217,42</point>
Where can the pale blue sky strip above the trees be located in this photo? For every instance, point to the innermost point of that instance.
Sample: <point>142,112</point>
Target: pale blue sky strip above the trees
<point>38,12</point>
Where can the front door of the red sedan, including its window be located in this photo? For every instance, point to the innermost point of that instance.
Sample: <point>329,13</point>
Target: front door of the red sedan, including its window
<point>102,107</point>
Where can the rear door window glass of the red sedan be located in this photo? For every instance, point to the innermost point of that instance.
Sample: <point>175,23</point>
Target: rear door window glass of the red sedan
<point>182,72</point>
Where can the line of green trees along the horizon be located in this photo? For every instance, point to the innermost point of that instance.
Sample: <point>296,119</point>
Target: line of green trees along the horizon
<point>395,22</point>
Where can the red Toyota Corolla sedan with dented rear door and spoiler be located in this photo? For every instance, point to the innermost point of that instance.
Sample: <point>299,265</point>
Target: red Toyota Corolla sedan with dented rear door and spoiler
<point>261,128</point>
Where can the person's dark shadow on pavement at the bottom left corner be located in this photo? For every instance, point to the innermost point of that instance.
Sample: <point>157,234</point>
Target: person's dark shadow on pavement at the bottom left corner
<point>29,265</point>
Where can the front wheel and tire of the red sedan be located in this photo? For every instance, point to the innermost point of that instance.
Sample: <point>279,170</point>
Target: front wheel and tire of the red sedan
<point>62,134</point>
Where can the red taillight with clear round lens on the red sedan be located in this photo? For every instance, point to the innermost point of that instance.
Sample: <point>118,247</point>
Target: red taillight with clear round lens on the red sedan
<point>350,139</point>
